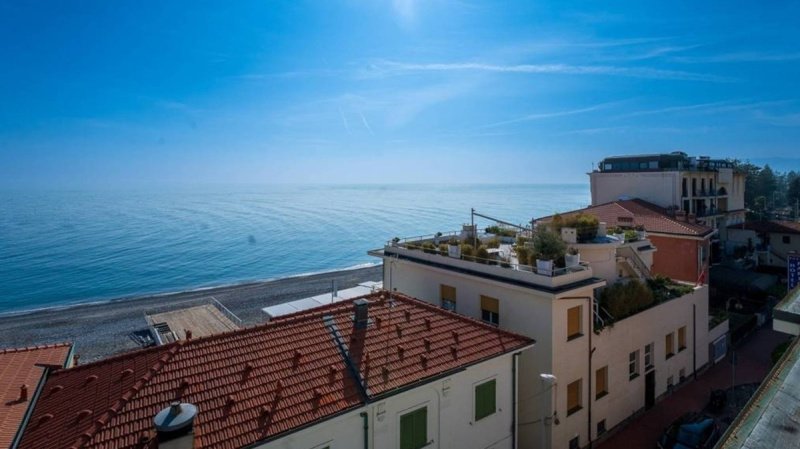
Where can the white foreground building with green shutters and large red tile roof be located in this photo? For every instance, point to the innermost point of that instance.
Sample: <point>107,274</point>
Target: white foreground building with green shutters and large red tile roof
<point>380,370</point>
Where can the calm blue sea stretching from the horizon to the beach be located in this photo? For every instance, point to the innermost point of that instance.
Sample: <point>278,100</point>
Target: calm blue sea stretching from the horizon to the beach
<point>59,248</point>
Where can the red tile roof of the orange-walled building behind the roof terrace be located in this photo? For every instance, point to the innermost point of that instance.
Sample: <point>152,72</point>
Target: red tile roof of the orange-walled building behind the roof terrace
<point>634,212</point>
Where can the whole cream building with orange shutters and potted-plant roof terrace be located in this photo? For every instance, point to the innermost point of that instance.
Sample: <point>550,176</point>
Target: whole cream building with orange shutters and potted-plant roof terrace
<point>607,346</point>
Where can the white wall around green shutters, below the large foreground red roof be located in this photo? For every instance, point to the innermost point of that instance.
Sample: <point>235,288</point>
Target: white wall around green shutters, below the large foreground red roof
<point>451,425</point>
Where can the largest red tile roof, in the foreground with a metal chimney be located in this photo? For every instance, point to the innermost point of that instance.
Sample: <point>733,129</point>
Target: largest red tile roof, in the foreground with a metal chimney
<point>257,383</point>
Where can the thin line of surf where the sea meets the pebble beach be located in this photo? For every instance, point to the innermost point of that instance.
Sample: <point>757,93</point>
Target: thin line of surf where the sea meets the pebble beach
<point>153,295</point>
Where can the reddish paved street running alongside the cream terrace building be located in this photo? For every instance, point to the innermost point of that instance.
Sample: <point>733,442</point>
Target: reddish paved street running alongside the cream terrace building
<point>753,364</point>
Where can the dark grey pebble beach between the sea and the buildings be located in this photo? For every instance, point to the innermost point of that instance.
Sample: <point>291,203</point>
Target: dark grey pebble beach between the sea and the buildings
<point>102,328</point>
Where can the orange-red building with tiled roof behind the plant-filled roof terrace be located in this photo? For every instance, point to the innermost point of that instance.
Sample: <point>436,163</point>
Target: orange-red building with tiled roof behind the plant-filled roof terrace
<point>684,246</point>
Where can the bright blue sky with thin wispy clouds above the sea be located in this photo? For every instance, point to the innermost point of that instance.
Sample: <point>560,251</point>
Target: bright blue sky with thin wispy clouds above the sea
<point>141,93</point>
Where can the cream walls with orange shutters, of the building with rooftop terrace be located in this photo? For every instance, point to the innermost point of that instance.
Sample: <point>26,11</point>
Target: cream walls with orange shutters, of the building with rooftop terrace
<point>587,374</point>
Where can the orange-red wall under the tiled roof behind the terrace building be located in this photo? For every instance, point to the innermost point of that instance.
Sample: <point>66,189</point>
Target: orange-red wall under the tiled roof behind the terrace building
<point>677,257</point>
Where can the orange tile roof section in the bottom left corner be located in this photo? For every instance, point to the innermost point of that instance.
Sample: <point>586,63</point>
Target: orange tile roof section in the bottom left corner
<point>17,368</point>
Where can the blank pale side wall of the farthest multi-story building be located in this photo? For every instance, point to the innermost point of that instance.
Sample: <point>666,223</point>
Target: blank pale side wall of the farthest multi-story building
<point>662,188</point>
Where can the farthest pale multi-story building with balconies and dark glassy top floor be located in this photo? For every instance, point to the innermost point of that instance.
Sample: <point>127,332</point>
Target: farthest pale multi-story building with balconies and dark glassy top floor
<point>710,191</point>
